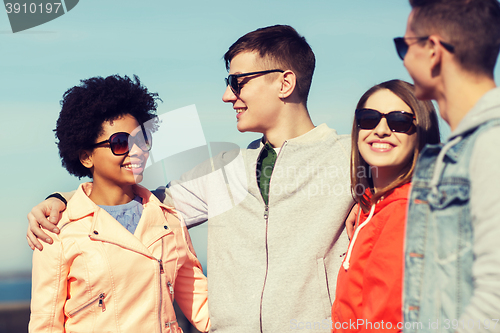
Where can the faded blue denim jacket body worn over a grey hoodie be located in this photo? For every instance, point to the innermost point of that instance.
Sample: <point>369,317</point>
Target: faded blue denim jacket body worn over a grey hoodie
<point>438,281</point>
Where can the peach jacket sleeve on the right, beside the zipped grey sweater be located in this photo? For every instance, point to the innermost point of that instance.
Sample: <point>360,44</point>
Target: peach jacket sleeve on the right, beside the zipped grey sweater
<point>191,290</point>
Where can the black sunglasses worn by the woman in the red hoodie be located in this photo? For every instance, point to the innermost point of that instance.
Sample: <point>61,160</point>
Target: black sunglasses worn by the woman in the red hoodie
<point>398,121</point>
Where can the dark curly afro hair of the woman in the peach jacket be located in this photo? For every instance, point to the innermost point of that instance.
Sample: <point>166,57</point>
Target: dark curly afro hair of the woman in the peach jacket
<point>84,109</point>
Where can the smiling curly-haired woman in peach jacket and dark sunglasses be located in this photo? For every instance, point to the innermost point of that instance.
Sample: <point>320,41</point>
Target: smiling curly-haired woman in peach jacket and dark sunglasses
<point>121,255</point>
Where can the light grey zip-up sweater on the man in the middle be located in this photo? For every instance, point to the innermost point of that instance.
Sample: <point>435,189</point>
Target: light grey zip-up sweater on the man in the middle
<point>272,268</point>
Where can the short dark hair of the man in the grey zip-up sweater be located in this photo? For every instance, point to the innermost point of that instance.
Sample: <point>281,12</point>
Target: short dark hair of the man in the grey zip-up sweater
<point>280,47</point>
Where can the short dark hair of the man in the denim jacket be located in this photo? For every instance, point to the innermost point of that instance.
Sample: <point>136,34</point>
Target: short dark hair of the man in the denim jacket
<point>471,26</point>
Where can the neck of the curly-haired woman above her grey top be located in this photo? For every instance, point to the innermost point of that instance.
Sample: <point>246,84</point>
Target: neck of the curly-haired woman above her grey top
<point>110,194</point>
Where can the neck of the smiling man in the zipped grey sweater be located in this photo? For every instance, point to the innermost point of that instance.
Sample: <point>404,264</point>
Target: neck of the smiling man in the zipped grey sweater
<point>293,122</point>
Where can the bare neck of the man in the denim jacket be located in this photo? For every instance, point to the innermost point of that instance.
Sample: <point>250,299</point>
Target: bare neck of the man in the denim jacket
<point>459,93</point>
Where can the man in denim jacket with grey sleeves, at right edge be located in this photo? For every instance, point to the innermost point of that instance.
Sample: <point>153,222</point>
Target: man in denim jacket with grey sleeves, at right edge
<point>452,249</point>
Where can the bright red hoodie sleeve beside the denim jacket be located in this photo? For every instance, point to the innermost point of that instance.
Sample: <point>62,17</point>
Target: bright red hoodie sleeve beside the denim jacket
<point>383,275</point>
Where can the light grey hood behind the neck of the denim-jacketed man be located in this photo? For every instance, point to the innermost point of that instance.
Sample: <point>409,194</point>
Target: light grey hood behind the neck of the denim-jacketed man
<point>486,108</point>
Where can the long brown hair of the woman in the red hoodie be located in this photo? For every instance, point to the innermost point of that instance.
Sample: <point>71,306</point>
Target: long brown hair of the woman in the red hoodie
<point>427,132</point>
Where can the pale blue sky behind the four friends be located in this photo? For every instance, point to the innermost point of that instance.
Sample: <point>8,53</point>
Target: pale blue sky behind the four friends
<point>176,49</point>
